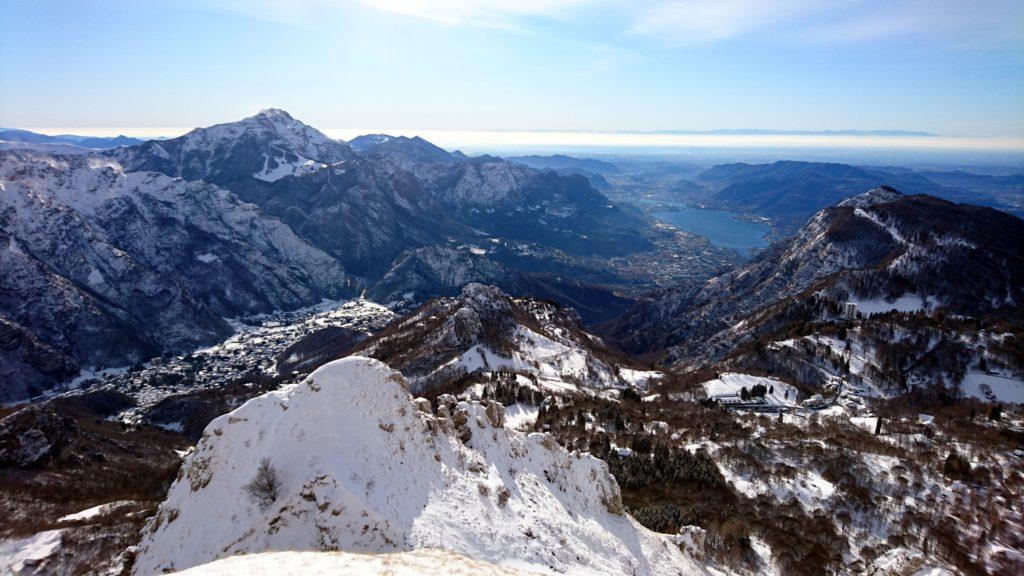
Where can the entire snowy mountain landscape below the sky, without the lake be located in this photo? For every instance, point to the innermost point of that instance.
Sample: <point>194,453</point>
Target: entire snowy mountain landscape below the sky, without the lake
<point>379,354</point>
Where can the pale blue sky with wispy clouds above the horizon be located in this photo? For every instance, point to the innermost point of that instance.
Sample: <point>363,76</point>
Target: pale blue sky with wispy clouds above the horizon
<point>941,66</point>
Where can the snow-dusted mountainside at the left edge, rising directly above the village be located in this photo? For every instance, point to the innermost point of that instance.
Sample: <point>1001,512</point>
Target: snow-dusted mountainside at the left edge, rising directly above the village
<point>107,267</point>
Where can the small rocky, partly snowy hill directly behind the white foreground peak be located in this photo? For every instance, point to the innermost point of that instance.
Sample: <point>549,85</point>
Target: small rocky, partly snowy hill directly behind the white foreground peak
<point>485,330</point>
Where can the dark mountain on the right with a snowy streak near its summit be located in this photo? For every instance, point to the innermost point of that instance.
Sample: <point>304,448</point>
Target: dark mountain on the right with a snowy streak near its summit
<point>877,248</point>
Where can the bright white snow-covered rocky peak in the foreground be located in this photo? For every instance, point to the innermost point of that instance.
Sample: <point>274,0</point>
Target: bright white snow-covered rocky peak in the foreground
<point>362,470</point>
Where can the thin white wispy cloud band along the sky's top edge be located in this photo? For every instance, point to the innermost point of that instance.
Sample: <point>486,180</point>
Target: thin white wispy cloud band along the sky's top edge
<point>950,24</point>
